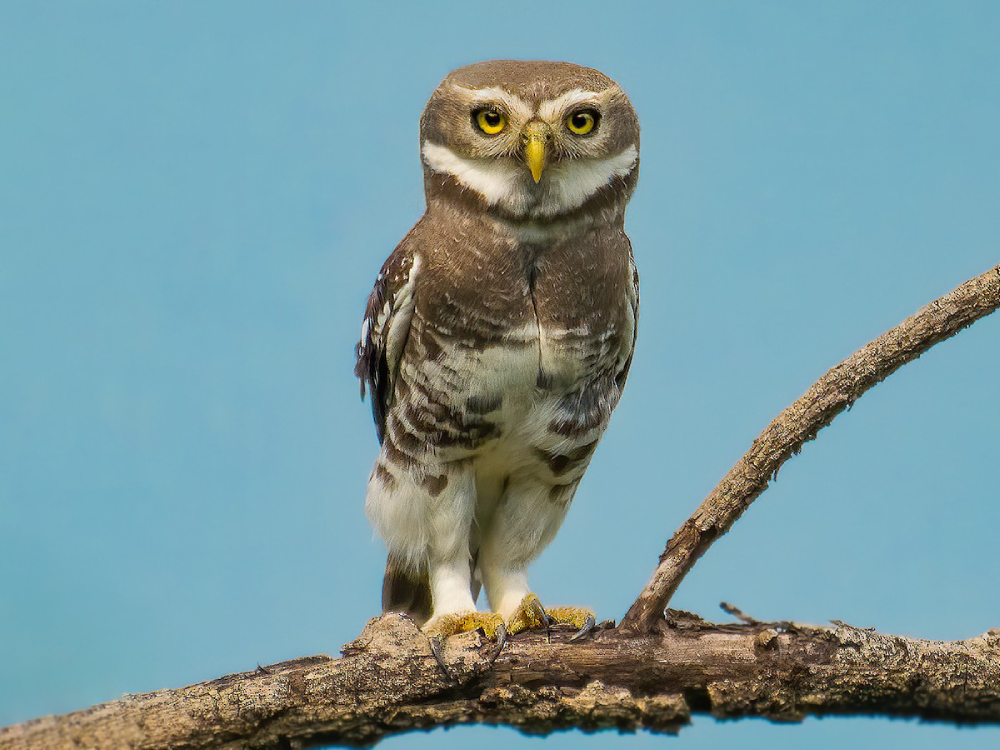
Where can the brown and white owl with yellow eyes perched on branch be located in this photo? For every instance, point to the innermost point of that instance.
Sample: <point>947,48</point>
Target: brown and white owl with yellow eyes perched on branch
<point>498,337</point>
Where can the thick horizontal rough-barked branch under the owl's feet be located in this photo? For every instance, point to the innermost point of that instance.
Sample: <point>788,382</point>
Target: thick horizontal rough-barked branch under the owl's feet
<point>388,681</point>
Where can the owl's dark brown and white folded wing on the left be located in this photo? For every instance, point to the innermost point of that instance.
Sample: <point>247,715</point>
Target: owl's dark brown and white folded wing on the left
<point>384,332</point>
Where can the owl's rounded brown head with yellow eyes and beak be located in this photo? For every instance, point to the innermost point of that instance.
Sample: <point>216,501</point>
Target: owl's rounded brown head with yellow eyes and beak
<point>530,140</point>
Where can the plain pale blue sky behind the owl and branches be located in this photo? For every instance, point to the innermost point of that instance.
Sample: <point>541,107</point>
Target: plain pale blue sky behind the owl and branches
<point>195,199</point>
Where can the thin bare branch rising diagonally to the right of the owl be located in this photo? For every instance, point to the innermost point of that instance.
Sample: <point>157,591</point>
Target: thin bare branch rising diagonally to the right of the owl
<point>799,423</point>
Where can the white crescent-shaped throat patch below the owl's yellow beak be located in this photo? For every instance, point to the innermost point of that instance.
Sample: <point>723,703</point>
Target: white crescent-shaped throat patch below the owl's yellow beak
<point>508,184</point>
